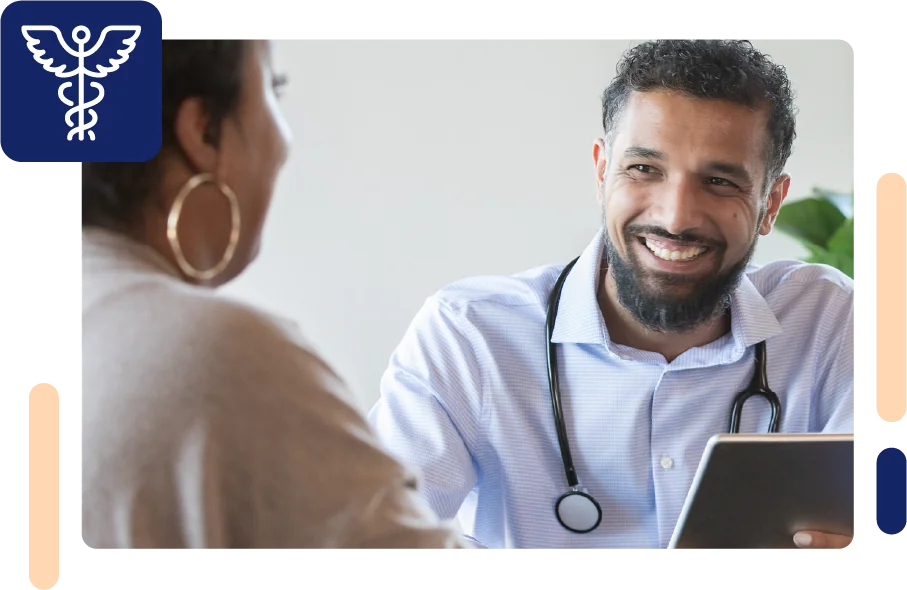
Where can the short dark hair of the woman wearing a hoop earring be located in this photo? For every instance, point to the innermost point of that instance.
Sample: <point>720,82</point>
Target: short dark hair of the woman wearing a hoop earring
<point>208,66</point>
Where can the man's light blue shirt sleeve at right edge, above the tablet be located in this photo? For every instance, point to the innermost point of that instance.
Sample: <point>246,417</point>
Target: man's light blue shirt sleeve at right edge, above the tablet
<point>835,391</point>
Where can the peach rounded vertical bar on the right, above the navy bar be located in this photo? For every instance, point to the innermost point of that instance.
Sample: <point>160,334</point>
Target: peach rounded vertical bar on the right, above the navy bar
<point>890,282</point>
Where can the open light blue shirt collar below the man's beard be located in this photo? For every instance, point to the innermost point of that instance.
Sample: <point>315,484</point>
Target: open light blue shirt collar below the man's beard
<point>580,320</point>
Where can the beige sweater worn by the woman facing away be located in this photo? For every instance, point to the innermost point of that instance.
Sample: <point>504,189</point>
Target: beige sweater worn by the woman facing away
<point>208,425</point>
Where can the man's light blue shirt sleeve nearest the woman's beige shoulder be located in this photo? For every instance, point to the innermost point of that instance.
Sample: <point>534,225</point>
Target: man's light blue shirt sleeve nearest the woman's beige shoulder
<point>430,406</point>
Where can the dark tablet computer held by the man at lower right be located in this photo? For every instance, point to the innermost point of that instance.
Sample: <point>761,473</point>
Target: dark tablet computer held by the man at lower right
<point>752,492</point>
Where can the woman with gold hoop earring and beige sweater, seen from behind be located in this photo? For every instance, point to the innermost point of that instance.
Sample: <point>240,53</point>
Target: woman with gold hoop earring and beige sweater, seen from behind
<point>206,424</point>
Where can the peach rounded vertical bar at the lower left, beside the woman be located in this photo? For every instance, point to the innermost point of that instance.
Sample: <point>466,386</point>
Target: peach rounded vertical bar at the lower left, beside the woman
<point>44,485</point>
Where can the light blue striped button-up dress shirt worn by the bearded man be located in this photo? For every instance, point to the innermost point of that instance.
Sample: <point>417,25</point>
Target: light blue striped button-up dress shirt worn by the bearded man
<point>465,399</point>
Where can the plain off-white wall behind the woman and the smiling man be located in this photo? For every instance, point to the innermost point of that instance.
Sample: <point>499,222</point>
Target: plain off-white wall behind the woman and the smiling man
<point>420,159</point>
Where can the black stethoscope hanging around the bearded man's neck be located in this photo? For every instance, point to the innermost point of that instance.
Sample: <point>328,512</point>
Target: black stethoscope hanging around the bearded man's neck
<point>577,510</point>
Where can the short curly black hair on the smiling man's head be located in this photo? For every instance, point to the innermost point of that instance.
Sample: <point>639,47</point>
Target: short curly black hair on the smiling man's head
<point>717,69</point>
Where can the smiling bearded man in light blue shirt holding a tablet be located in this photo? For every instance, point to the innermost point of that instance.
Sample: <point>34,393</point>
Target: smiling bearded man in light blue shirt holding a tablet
<point>657,326</point>
